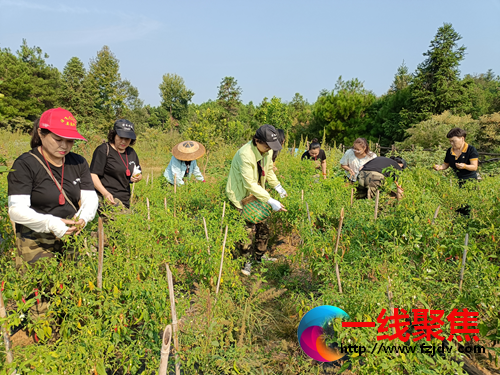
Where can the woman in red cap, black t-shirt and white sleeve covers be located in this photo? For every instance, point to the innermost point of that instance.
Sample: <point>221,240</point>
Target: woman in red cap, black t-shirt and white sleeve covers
<point>50,189</point>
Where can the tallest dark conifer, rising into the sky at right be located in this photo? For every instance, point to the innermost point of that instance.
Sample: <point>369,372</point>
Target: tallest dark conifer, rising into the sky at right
<point>436,86</point>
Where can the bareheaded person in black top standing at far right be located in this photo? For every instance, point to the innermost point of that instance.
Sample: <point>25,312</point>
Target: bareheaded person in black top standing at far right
<point>462,158</point>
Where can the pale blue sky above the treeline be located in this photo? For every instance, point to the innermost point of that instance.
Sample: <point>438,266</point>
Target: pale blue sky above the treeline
<point>272,48</point>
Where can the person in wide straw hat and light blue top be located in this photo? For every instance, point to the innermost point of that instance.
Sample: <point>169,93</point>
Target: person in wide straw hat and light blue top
<point>183,162</point>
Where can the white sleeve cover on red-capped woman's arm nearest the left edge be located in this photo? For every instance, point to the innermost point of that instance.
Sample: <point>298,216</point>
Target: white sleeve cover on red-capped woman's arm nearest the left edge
<point>20,212</point>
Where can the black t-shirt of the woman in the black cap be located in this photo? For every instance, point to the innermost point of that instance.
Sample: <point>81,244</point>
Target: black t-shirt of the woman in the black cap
<point>112,171</point>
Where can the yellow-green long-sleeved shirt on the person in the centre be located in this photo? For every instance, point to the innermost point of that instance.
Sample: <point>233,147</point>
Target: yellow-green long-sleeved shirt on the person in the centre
<point>244,175</point>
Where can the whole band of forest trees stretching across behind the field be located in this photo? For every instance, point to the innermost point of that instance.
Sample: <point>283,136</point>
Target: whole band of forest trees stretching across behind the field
<point>418,109</point>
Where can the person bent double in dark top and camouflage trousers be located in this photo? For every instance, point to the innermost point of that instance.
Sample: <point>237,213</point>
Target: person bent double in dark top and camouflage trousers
<point>372,175</point>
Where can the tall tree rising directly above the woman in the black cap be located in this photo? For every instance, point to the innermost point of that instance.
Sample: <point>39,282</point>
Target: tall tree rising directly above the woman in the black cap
<point>106,80</point>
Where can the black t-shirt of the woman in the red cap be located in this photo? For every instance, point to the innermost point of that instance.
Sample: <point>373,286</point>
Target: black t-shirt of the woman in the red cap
<point>30,178</point>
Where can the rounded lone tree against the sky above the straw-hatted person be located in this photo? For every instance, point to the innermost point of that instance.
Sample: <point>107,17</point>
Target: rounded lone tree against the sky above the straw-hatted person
<point>175,96</point>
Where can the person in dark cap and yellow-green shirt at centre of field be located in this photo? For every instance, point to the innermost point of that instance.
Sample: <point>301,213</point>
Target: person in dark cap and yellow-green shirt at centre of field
<point>251,168</point>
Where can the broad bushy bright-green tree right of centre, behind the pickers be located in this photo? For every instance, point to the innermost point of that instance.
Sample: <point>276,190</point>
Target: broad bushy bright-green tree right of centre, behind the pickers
<point>342,112</point>
